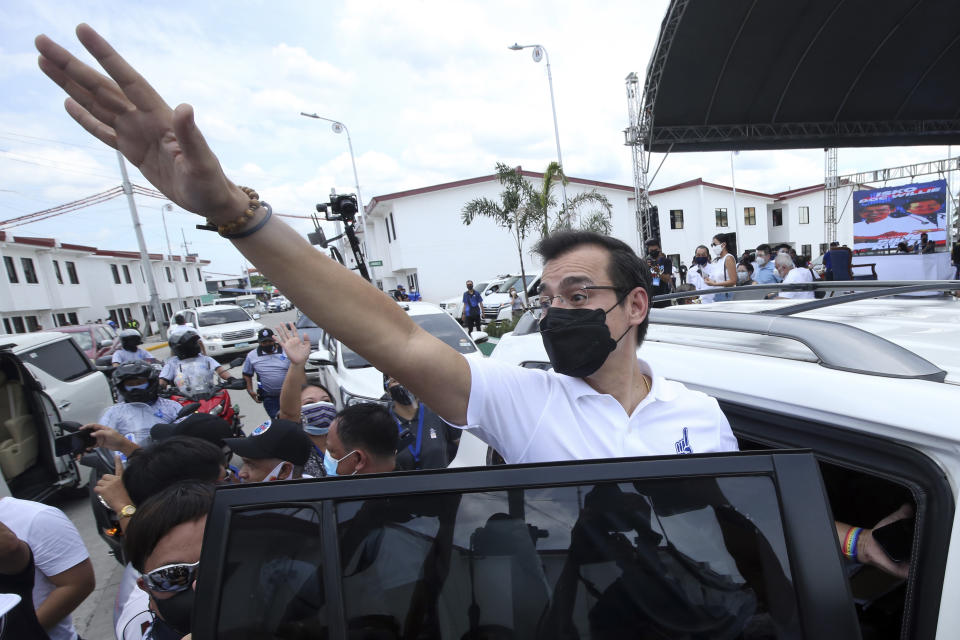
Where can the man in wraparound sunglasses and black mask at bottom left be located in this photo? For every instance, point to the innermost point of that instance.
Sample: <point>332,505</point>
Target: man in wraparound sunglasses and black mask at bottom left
<point>163,542</point>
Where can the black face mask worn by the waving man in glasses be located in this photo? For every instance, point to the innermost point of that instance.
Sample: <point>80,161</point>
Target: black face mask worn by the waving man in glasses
<point>577,341</point>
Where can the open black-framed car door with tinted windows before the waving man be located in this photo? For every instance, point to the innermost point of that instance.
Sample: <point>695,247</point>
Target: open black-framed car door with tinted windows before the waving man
<point>725,546</point>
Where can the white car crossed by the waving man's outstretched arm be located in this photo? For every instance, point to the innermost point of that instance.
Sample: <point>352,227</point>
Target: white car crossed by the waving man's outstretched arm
<point>351,379</point>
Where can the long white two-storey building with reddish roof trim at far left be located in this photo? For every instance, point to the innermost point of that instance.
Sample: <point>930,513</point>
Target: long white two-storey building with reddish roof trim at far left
<point>46,283</point>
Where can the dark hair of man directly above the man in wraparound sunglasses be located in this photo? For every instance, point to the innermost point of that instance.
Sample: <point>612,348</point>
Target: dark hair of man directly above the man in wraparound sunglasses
<point>173,460</point>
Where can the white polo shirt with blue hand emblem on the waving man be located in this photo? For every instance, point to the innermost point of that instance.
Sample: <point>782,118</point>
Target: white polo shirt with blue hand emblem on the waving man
<point>529,415</point>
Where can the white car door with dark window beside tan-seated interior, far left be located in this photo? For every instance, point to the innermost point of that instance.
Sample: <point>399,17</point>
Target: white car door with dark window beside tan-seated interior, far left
<point>79,392</point>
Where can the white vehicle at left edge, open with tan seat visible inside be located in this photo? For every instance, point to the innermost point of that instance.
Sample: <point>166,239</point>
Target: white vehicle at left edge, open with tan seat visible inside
<point>44,379</point>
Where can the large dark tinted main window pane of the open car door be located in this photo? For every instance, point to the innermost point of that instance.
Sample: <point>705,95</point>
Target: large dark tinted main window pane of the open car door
<point>689,558</point>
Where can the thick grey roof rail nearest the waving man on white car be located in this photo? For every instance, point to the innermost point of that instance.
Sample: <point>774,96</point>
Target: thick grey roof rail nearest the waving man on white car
<point>836,346</point>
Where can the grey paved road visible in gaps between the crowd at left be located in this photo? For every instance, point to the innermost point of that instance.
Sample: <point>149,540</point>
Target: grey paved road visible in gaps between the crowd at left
<point>94,618</point>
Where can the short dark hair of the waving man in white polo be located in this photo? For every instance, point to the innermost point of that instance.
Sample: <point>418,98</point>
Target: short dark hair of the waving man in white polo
<point>626,269</point>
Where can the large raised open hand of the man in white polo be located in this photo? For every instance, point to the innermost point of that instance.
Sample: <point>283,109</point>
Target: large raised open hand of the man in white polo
<point>127,114</point>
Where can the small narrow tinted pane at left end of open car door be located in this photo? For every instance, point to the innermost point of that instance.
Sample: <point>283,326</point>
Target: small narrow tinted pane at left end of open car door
<point>273,590</point>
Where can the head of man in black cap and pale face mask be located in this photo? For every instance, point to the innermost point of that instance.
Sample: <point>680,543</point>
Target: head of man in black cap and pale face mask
<point>275,450</point>
